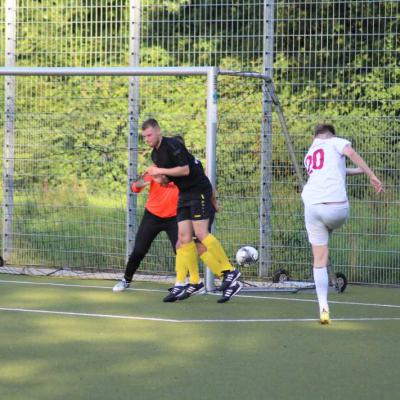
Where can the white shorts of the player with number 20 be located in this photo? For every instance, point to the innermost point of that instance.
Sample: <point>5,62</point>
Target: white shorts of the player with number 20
<point>321,219</point>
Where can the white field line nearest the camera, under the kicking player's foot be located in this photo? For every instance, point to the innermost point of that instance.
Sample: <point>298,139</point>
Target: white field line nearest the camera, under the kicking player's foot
<point>191,321</point>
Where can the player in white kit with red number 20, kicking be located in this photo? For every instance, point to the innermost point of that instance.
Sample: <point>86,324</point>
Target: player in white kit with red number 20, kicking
<point>326,206</point>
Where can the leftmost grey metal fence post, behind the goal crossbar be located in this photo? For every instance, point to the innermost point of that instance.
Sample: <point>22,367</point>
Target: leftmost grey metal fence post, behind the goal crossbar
<point>8,154</point>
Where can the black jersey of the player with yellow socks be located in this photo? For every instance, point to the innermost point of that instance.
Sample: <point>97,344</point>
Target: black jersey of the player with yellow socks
<point>173,153</point>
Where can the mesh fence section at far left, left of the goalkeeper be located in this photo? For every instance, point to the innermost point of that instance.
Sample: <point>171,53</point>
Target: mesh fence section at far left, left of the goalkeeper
<point>70,134</point>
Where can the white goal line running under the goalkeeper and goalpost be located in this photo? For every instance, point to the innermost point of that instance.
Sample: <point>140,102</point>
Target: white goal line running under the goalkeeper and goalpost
<point>242,296</point>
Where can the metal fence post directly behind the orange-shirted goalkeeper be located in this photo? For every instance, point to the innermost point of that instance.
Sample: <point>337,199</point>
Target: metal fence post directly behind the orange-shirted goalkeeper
<point>134,43</point>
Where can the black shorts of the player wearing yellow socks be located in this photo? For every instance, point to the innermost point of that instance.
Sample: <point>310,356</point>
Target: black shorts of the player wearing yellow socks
<point>194,206</point>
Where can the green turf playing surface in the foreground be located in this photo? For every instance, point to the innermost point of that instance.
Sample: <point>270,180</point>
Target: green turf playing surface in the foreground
<point>56,356</point>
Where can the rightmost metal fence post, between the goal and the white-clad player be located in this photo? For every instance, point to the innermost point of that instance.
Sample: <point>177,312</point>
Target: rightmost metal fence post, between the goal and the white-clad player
<point>266,145</point>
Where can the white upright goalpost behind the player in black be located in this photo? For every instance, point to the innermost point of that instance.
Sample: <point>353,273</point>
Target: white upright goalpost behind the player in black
<point>211,144</point>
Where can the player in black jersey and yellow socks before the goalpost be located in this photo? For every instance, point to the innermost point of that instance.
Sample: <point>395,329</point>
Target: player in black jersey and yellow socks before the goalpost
<point>171,158</point>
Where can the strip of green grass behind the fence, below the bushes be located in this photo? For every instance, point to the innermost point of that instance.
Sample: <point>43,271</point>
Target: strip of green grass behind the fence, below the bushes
<point>91,235</point>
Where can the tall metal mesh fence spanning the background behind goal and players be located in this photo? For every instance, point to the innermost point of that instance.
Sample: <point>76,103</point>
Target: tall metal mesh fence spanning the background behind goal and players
<point>332,61</point>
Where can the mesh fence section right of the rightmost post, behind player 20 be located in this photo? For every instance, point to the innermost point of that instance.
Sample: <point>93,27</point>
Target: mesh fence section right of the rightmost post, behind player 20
<point>339,62</point>
